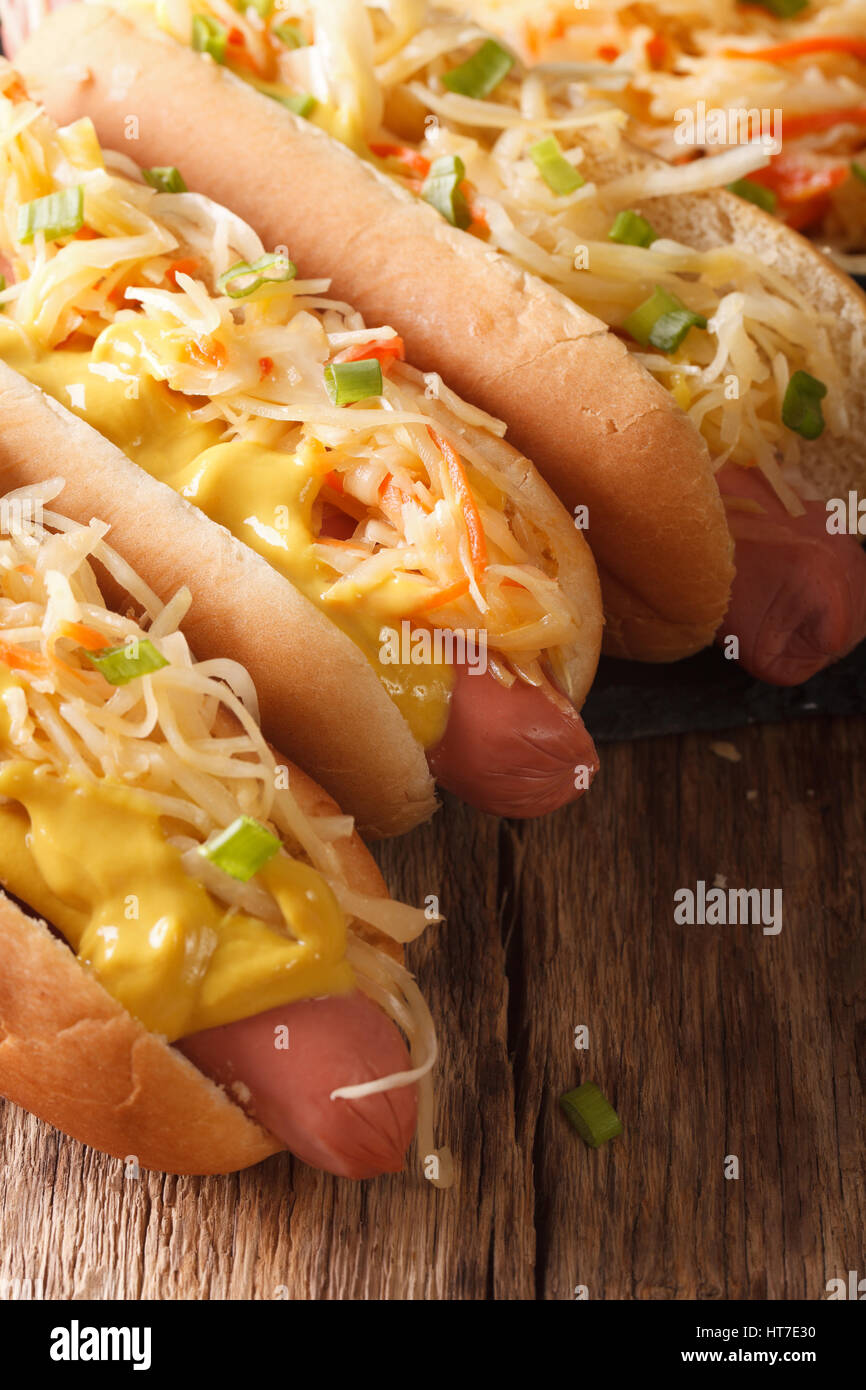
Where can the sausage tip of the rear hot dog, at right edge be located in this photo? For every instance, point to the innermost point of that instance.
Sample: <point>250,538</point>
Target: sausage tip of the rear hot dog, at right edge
<point>800,594</point>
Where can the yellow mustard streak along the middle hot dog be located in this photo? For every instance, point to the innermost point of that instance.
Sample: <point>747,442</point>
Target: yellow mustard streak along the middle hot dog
<point>265,497</point>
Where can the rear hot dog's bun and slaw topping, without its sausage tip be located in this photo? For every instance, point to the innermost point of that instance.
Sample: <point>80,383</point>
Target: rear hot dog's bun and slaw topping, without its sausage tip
<point>714,298</point>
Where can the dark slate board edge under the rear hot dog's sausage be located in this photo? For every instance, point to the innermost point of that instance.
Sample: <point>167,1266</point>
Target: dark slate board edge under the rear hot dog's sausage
<point>632,700</point>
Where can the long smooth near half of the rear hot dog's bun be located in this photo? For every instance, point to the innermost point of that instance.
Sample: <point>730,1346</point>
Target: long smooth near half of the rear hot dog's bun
<point>600,429</point>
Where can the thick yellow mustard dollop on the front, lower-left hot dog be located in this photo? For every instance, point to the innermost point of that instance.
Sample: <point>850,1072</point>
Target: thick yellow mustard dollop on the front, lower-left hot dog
<point>92,860</point>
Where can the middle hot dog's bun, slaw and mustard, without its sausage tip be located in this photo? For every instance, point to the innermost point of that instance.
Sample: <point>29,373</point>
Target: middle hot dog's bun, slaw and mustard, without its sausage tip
<point>357,530</point>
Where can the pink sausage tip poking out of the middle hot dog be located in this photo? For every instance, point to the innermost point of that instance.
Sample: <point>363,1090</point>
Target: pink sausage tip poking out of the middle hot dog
<point>511,751</point>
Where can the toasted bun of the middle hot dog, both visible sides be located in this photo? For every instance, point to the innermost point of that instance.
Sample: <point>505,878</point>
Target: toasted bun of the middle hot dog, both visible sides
<point>333,715</point>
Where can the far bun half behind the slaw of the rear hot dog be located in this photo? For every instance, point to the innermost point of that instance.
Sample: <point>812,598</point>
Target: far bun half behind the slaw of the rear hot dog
<point>833,464</point>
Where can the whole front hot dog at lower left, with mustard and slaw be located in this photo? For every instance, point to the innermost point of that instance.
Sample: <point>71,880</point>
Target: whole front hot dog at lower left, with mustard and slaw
<point>202,893</point>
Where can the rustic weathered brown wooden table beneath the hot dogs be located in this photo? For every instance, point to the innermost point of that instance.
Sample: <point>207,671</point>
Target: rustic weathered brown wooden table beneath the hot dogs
<point>711,1042</point>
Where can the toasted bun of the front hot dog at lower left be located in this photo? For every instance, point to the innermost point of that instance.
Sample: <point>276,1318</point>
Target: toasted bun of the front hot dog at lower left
<point>76,1058</point>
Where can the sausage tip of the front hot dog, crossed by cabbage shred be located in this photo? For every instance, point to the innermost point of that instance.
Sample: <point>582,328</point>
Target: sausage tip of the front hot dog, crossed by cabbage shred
<point>338,1042</point>
